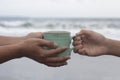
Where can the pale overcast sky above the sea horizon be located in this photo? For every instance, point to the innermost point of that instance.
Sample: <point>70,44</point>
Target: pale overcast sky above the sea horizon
<point>61,8</point>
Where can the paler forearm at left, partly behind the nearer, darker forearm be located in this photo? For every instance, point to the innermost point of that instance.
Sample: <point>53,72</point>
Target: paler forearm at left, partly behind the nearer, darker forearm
<point>4,40</point>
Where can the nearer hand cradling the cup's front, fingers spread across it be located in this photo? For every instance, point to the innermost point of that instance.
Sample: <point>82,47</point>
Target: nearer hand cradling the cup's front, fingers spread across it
<point>34,49</point>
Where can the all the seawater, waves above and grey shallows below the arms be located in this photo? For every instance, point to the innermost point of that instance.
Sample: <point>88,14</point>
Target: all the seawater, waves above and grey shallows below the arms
<point>79,67</point>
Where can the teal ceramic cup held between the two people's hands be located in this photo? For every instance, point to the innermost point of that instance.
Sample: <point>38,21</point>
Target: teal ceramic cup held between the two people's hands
<point>62,38</point>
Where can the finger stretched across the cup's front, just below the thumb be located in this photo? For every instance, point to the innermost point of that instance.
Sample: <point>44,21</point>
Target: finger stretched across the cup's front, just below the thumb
<point>54,52</point>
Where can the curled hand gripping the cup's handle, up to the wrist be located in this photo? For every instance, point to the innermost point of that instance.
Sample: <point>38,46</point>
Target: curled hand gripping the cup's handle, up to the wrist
<point>90,43</point>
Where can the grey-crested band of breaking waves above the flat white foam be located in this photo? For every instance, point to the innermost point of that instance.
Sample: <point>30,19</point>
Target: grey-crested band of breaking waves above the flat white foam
<point>66,24</point>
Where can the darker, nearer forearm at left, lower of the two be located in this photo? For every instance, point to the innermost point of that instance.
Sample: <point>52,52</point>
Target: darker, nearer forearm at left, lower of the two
<point>8,52</point>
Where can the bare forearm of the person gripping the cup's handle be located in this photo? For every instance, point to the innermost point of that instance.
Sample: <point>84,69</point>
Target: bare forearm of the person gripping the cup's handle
<point>114,47</point>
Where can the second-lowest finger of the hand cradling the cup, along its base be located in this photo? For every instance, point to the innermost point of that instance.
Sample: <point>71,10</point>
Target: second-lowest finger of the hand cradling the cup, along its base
<point>56,59</point>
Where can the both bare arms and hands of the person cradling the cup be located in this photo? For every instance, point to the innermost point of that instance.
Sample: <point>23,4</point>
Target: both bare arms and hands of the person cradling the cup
<point>32,46</point>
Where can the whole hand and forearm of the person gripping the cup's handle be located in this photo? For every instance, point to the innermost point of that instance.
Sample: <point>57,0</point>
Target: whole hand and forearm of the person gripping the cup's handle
<point>93,44</point>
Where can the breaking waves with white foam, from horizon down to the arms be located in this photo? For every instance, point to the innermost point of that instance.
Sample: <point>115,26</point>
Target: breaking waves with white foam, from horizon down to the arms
<point>20,27</point>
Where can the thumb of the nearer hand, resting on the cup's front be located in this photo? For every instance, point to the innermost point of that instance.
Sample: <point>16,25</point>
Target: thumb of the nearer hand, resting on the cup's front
<point>46,43</point>
